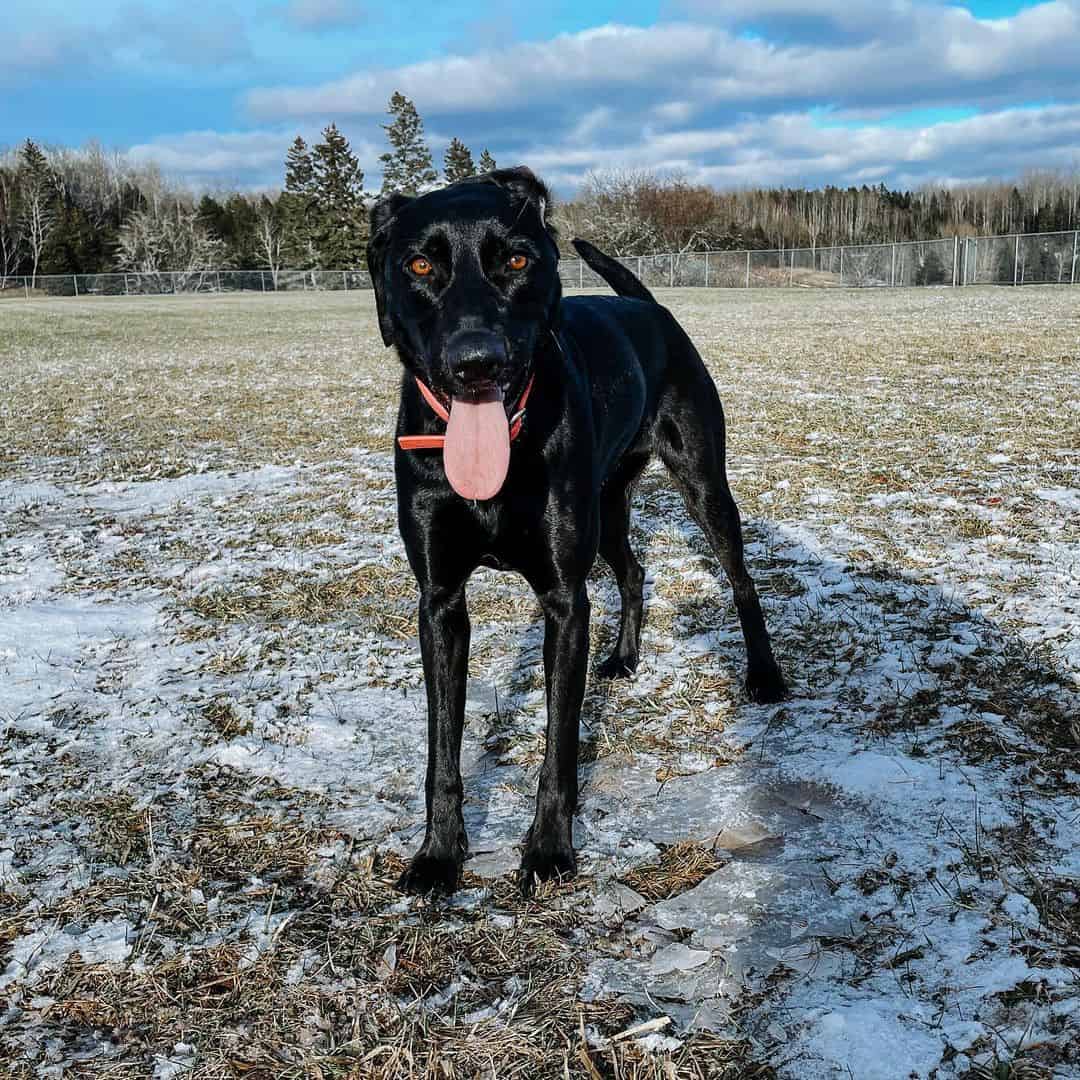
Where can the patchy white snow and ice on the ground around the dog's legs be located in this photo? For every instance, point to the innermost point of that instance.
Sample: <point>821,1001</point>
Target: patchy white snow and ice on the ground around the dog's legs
<point>813,803</point>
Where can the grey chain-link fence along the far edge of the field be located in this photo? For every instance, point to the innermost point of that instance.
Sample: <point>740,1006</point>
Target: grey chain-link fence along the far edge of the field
<point>1017,260</point>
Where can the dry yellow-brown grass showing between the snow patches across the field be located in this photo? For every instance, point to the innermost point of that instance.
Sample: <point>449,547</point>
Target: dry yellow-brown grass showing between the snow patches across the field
<point>276,942</point>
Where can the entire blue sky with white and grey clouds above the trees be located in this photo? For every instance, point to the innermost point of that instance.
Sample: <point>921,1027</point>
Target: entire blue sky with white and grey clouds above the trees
<point>735,93</point>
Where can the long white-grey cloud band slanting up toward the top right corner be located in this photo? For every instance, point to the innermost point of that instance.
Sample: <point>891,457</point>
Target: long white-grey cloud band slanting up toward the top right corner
<point>920,55</point>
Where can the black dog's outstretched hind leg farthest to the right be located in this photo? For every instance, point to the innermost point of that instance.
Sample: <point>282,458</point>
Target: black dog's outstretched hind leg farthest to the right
<point>690,435</point>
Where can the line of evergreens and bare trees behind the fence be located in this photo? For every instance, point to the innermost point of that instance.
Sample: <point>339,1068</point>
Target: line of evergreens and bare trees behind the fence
<point>89,211</point>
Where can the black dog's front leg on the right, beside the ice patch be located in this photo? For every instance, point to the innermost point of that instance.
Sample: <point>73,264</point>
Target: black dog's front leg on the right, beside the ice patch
<point>549,846</point>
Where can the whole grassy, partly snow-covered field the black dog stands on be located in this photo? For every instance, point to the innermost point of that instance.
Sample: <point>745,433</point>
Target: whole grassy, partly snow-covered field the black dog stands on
<point>213,714</point>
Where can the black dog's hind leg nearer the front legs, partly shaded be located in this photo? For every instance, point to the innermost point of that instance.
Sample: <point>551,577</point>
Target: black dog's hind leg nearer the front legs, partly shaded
<point>616,551</point>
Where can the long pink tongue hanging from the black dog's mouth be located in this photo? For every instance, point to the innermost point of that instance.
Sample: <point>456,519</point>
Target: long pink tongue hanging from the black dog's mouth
<point>477,453</point>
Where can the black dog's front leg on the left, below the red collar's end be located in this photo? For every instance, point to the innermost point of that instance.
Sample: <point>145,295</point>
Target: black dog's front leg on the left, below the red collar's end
<point>444,645</point>
